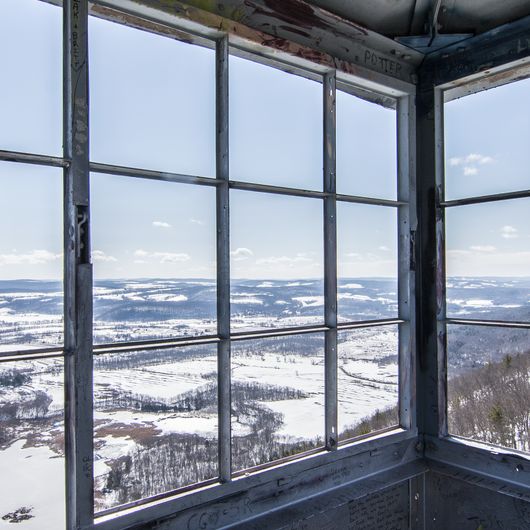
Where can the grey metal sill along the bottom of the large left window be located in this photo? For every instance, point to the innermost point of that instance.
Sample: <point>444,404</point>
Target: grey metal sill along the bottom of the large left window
<point>287,482</point>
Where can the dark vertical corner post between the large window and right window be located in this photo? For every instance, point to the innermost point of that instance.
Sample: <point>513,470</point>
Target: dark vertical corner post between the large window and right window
<point>431,389</point>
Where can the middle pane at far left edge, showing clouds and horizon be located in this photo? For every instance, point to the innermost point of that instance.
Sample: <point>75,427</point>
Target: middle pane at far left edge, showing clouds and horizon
<point>31,259</point>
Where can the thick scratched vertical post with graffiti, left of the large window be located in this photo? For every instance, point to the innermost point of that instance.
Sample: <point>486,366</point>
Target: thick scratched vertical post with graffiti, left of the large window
<point>77,271</point>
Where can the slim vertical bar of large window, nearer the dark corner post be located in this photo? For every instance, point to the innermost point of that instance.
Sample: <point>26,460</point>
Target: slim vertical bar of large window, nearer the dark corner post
<point>330,260</point>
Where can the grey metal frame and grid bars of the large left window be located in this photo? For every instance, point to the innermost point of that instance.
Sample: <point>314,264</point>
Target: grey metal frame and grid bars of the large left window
<point>393,446</point>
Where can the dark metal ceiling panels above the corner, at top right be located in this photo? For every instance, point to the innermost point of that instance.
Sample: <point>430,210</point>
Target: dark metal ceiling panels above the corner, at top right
<point>397,18</point>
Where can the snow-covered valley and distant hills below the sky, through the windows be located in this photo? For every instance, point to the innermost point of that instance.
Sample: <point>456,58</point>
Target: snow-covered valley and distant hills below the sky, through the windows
<point>156,410</point>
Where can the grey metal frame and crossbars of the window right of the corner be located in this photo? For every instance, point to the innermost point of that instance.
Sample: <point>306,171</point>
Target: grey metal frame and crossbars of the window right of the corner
<point>446,452</point>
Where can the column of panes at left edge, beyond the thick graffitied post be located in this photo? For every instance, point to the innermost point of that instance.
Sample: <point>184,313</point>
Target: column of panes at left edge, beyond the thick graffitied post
<point>32,434</point>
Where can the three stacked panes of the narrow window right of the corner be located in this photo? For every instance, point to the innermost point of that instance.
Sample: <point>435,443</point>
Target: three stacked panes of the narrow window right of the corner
<point>487,214</point>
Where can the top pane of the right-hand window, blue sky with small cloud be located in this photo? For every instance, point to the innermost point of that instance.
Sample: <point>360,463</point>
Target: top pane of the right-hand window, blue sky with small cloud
<point>486,142</point>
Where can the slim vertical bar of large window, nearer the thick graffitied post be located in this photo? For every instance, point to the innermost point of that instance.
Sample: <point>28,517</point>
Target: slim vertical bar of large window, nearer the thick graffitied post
<point>223,260</point>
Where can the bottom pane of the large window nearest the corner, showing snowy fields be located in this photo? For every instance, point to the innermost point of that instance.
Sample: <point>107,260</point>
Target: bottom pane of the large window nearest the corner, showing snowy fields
<point>367,380</point>
